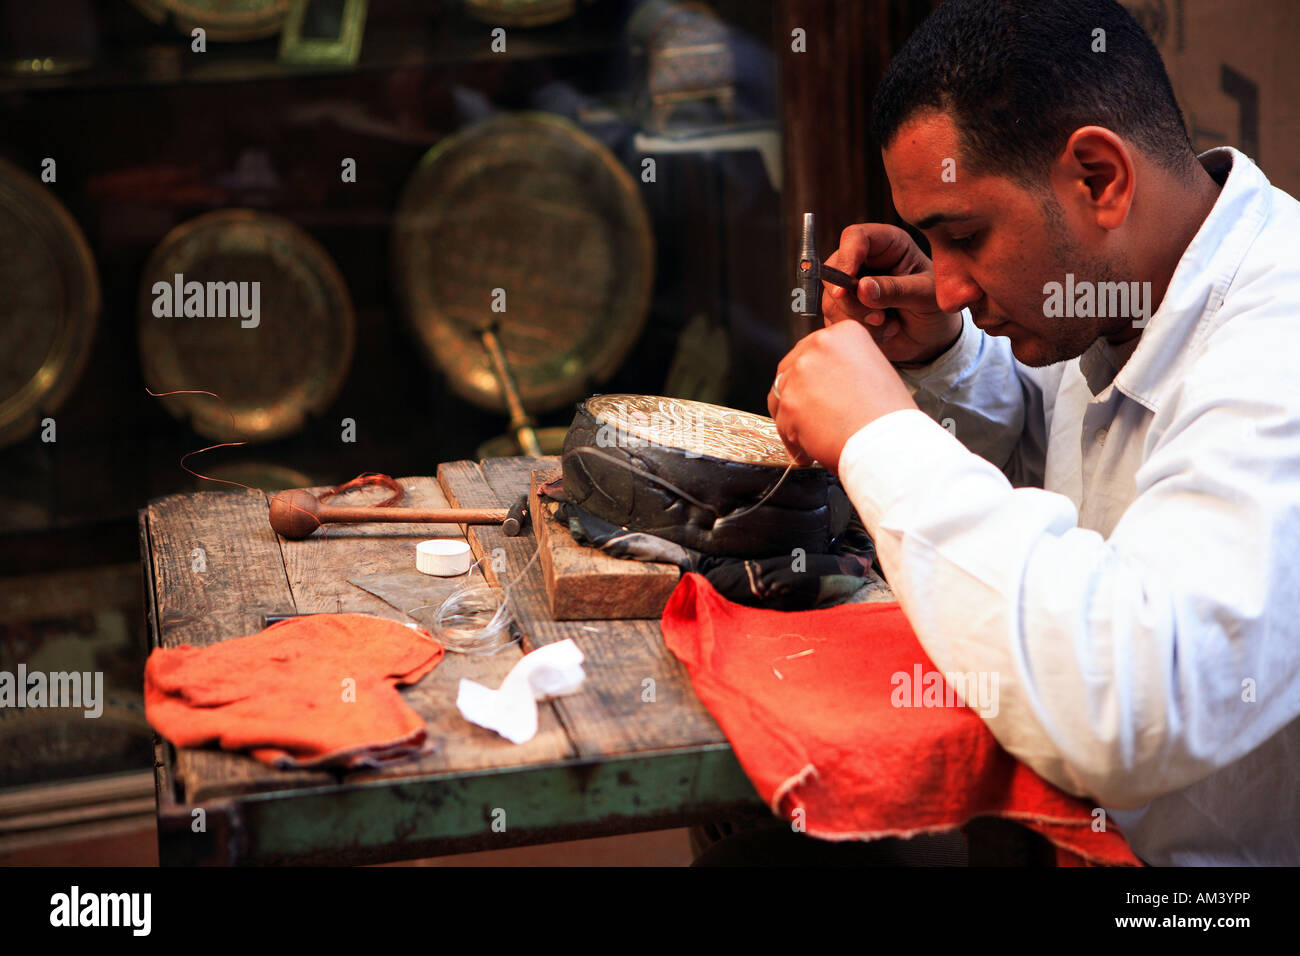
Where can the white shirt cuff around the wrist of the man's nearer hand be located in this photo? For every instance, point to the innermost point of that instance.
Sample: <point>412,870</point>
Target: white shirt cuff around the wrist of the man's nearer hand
<point>895,456</point>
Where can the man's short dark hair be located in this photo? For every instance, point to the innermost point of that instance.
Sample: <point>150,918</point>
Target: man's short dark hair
<point>1020,76</point>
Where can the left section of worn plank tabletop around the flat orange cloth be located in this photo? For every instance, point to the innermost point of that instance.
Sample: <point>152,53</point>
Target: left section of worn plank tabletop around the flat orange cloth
<point>250,572</point>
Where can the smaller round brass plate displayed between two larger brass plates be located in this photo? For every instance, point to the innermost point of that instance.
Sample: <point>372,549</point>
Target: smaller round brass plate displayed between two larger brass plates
<point>259,315</point>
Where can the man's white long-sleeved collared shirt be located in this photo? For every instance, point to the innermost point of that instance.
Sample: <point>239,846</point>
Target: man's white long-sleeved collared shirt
<point>1124,550</point>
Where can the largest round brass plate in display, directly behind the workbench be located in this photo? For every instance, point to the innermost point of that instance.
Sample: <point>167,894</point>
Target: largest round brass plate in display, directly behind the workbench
<point>532,206</point>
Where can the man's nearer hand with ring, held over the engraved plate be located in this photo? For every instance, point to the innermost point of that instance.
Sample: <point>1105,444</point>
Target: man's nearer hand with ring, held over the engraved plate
<point>829,387</point>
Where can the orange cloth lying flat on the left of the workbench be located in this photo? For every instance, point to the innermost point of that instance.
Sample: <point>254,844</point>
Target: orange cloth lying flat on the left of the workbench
<point>306,693</point>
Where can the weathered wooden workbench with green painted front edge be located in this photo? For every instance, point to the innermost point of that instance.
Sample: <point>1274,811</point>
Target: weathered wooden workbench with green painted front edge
<point>634,750</point>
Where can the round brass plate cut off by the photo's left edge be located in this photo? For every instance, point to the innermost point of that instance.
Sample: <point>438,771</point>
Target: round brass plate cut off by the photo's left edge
<point>49,304</point>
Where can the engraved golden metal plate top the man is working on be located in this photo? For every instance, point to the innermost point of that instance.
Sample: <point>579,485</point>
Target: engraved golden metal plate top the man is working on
<point>696,429</point>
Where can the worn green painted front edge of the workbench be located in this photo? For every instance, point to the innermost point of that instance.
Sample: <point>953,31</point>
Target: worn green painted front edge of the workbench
<point>380,821</point>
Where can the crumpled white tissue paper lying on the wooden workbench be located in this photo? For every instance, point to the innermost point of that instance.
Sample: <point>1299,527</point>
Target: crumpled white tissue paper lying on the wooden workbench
<point>512,711</point>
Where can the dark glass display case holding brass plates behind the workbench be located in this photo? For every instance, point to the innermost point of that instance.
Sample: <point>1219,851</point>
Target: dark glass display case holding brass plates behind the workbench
<point>136,122</point>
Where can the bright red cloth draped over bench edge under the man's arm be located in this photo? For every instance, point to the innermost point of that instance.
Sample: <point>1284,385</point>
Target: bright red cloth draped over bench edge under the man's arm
<point>817,716</point>
